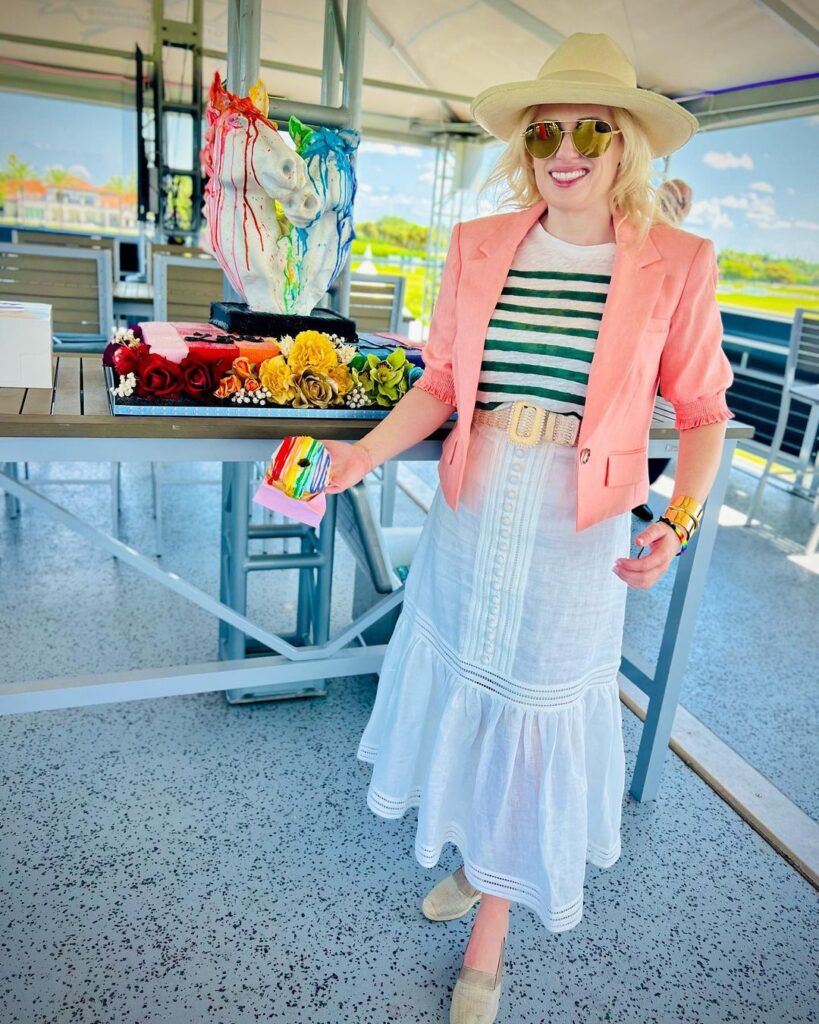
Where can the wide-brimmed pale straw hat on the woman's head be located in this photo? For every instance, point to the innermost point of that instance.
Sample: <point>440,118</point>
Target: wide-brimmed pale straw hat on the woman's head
<point>587,68</point>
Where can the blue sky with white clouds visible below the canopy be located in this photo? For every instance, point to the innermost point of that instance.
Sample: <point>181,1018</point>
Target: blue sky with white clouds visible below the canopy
<point>754,188</point>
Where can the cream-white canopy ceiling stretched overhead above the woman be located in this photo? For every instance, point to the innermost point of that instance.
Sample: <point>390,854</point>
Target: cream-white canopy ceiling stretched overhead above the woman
<point>445,53</point>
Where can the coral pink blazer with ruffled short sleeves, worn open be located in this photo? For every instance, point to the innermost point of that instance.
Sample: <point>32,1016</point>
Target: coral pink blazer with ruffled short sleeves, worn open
<point>661,327</point>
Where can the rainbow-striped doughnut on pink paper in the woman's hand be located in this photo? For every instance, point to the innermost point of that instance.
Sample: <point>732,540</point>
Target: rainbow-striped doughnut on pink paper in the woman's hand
<point>296,479</point>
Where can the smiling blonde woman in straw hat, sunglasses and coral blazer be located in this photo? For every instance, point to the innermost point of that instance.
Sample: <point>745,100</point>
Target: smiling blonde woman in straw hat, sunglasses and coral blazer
<point>497,712</point>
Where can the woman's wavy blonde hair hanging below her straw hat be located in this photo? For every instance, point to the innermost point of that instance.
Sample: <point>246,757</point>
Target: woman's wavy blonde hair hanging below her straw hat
<point>632,194</point>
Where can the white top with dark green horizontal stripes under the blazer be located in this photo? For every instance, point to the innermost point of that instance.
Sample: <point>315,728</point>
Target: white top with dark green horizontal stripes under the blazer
<point>542,335</point>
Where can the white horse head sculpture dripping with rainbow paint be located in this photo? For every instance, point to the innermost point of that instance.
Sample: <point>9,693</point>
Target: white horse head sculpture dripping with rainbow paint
<point>280,221</point>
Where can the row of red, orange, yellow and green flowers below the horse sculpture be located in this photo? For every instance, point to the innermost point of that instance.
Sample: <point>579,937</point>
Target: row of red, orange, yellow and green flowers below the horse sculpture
<point>313,371</point>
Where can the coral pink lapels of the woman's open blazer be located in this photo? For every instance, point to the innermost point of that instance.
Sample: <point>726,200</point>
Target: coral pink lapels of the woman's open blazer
<point>636,280</point>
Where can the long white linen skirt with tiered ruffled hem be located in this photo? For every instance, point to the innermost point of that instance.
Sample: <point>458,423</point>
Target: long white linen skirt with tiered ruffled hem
<point>497,712</point>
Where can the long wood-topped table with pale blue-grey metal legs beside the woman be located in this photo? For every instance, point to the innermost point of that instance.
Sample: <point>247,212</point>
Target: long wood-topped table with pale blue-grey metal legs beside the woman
<point>73,422</point>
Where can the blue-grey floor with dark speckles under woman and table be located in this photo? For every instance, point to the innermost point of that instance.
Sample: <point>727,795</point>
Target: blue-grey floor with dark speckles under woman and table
<point>182,861</point>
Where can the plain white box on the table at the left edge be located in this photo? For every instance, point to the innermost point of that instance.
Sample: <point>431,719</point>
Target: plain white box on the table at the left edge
<point>26,345</point>
